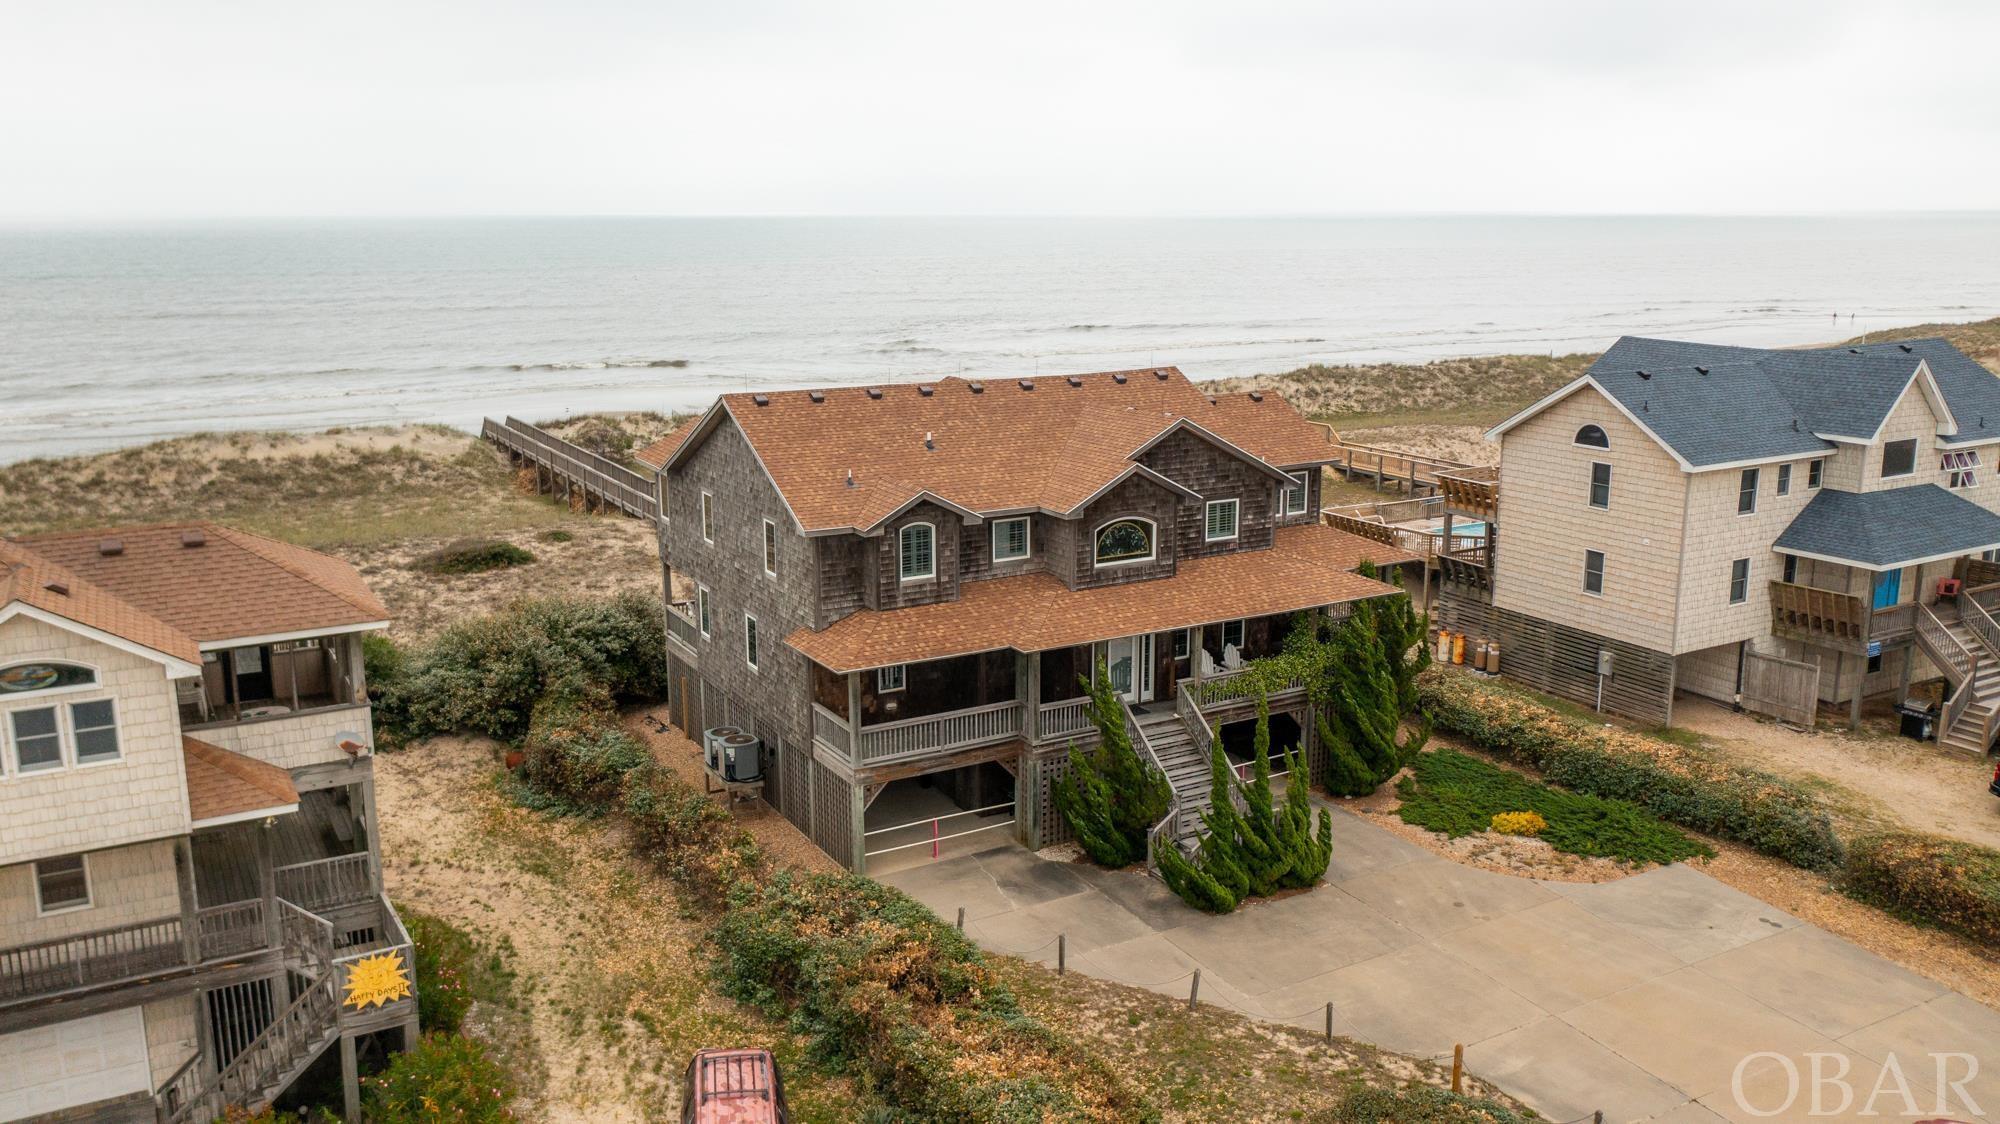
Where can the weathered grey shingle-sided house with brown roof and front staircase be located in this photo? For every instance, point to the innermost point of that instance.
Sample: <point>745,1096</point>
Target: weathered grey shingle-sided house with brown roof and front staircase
<point>899,589</point>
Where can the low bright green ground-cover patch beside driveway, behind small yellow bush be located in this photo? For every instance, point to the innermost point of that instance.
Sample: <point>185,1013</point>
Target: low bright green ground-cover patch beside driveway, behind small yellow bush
<point>1461,795</point>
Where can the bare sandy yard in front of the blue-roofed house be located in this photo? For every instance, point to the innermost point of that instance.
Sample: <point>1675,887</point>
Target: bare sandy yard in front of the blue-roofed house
<point>1875,779</point>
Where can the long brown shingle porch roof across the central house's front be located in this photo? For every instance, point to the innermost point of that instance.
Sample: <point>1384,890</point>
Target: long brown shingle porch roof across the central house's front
<point>1307,567</point>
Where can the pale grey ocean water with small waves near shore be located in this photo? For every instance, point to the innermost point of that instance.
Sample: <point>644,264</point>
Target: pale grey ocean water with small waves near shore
<point>127,335</point>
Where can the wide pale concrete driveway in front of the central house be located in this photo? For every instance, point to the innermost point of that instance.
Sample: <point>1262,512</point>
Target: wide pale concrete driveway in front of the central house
<point>1641,997</point>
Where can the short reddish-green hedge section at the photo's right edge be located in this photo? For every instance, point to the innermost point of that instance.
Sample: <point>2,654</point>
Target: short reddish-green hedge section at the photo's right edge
<point>1947,883</point>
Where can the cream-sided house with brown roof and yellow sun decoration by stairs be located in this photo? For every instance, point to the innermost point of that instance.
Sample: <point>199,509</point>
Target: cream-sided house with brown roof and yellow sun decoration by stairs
<point>189,849</point>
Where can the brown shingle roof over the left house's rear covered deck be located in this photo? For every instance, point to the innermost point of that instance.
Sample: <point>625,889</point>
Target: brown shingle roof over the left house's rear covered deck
<point>233,585</point>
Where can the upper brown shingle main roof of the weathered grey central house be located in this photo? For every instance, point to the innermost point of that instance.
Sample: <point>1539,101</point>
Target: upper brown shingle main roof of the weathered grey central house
<point>993,445</point>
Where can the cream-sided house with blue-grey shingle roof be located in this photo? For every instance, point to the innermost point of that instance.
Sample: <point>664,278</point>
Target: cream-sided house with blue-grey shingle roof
<point>1721,509</point>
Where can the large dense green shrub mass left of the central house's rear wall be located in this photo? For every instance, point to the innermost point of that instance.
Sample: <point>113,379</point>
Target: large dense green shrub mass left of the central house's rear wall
<point>487,675</point>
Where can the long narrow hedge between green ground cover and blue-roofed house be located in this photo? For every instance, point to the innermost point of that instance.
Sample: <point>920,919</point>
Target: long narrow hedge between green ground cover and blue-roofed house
<point>1673,781</point>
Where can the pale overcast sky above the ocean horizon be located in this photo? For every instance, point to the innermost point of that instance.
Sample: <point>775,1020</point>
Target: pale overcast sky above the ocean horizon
<point>193,109</point>
